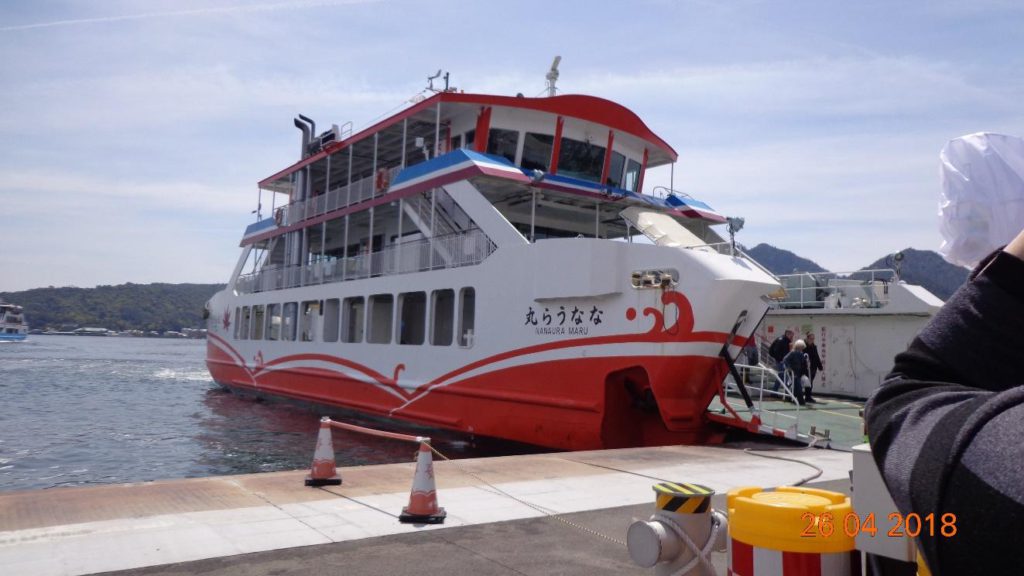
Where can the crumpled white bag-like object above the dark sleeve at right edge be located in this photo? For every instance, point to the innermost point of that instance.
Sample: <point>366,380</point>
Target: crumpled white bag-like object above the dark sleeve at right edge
<point>983,202</point>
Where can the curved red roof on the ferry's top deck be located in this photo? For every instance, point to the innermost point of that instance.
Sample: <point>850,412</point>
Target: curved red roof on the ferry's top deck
<point>591,109</point>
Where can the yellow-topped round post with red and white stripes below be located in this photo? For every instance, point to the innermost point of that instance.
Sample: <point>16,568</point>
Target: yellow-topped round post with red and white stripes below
<point>791,532</point>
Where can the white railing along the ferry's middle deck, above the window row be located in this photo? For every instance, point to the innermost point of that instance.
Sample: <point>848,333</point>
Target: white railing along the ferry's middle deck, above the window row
<point>454,251</point>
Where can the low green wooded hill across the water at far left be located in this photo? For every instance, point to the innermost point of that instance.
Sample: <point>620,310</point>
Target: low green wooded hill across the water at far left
<point>127,307</point>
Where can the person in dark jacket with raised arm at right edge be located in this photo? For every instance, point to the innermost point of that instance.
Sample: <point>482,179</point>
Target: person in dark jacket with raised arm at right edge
<point>947,428</point>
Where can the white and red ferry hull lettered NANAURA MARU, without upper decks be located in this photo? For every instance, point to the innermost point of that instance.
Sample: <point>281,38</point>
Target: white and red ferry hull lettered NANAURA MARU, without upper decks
<point>635,367</point>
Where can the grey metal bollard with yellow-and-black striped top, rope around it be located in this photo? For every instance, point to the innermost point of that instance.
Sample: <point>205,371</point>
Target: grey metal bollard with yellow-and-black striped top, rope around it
<point>680,537</point>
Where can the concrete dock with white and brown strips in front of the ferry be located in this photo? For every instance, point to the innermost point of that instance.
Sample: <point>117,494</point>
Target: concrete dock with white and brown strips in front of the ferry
<point>545,514</point>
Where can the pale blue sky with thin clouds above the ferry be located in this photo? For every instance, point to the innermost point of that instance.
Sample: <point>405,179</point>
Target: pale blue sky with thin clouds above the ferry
<point>134,133</point>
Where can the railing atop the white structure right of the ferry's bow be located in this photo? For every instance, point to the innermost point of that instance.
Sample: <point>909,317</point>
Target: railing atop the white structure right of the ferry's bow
<point>862,290</point>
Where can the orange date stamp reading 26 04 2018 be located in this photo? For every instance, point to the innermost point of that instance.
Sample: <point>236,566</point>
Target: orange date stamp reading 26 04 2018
<point>913,525</point>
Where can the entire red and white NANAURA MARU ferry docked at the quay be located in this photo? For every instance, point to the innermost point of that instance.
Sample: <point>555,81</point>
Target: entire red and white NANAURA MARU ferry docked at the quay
<point>478,263</point>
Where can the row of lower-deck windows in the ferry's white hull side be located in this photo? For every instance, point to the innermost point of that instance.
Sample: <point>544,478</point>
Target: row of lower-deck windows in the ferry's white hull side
<point>372,320</point>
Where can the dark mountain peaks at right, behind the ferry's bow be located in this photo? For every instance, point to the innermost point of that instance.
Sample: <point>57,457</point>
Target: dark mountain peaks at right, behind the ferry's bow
<point>924,268</point>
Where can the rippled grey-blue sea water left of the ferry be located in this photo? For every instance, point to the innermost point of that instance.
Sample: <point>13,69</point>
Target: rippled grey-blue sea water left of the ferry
<point>80,410</point>
